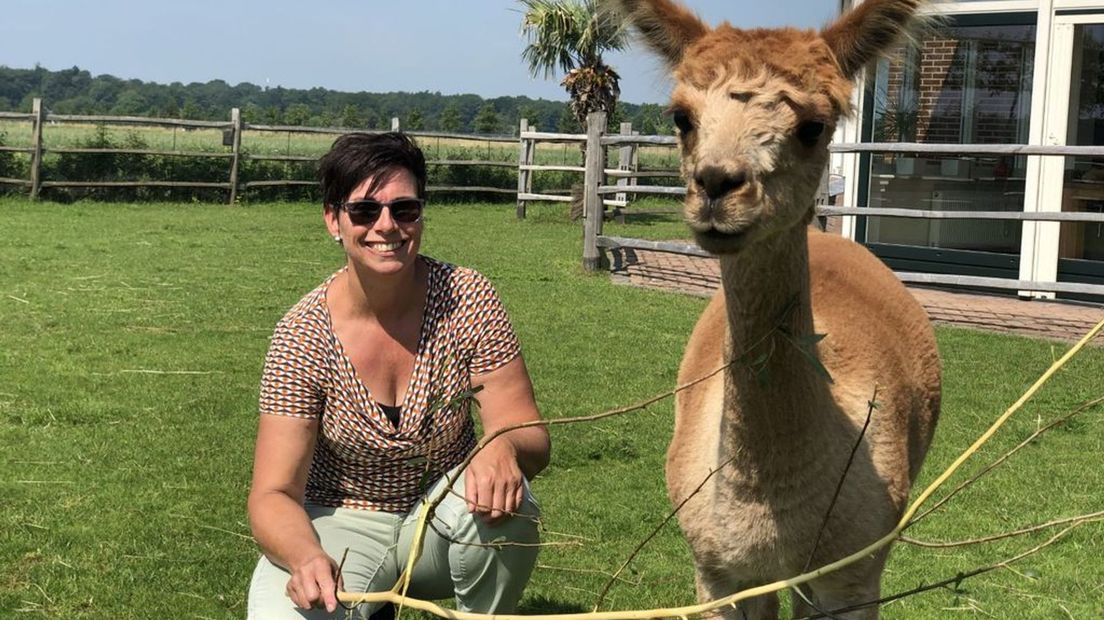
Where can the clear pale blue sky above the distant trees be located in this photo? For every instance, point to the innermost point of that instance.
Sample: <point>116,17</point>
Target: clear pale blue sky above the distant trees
<point>448,46</point>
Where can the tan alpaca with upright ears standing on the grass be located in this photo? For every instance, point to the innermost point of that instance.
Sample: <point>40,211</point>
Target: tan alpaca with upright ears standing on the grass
<point>756,111</point>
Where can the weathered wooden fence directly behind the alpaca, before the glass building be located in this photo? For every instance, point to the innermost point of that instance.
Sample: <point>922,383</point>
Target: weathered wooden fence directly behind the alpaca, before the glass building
<point>597,189</point>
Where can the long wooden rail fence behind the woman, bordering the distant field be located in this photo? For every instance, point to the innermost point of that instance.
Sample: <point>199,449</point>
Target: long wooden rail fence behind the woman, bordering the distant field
<point>235,156</point>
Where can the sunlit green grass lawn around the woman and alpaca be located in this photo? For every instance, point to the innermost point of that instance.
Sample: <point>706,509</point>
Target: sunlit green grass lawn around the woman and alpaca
<point>124,491</point>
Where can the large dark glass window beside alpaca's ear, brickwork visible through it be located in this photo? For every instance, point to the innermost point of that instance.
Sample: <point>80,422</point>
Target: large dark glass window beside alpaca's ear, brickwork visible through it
<point>964,84</point>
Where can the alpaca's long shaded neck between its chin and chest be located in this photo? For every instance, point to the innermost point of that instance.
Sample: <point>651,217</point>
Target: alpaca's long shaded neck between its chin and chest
<point>772,388</point>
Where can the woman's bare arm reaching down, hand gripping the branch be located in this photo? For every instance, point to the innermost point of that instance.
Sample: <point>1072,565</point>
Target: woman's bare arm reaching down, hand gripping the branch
<point>281,526</point>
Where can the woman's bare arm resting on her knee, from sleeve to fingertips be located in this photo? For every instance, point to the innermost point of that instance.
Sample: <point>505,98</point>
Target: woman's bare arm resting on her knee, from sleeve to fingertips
<point>495,479</point>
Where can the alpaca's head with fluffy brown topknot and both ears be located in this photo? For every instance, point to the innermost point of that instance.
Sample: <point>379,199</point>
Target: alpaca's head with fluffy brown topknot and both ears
<point>756,111</point>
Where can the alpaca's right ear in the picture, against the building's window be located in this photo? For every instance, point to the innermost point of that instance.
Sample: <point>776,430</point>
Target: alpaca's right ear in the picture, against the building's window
<point>868,31</point>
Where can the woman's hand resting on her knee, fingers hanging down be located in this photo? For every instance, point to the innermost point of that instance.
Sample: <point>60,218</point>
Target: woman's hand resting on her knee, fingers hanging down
<point>494,484</point>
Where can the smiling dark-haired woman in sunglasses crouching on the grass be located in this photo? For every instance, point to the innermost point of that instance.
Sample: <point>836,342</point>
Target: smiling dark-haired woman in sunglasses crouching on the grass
<point>364,414</point>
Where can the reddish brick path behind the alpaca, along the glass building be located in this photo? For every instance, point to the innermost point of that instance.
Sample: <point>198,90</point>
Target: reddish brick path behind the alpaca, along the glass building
<point>1050,320</point>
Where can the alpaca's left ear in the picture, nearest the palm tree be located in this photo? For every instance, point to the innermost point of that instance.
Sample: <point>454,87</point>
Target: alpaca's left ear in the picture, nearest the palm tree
<point>668,28</point>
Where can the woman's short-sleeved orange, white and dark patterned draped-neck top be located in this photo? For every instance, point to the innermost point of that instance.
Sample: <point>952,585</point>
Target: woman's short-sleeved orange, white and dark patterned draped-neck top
<point>362,461</point>
